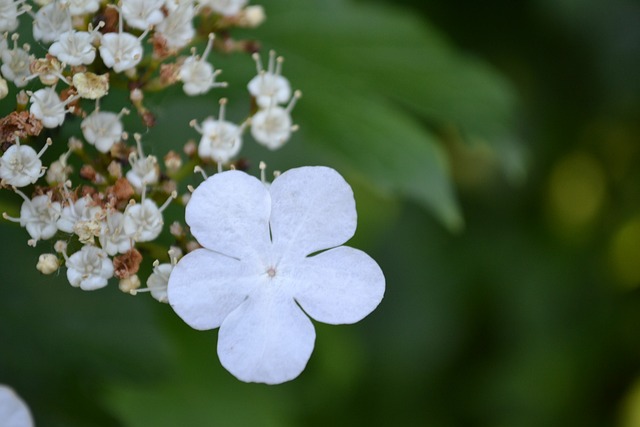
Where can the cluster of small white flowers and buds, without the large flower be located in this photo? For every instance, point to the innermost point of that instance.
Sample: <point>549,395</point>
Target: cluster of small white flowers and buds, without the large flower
<point>105,214</point>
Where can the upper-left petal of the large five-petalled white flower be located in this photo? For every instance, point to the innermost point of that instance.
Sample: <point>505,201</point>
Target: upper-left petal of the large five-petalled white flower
<point>229,213</point>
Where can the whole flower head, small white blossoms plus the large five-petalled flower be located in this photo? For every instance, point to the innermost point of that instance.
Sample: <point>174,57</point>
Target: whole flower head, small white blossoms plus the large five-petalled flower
<point>248,263</point>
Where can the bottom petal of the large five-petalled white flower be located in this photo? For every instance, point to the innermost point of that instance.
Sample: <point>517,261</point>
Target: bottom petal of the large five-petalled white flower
<point>268,339</point>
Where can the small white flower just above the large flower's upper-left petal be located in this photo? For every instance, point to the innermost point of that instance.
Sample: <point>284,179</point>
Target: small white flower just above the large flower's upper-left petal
<point>221,140</point>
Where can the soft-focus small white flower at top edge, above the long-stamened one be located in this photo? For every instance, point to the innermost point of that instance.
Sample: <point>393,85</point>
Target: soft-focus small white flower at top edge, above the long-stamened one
<point>177,28</point>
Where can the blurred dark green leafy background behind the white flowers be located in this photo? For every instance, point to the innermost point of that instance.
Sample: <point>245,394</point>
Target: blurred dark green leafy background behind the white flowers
<point>493,150</point>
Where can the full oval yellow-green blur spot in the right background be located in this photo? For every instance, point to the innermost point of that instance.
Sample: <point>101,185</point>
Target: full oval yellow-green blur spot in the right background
<point>577,191</point>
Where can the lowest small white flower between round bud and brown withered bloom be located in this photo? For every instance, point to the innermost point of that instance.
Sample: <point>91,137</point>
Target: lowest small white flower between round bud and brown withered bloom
<point>90,268</point>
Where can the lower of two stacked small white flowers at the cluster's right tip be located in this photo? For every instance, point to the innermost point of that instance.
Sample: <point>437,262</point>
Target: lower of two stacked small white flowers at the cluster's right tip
<point>272,127</point>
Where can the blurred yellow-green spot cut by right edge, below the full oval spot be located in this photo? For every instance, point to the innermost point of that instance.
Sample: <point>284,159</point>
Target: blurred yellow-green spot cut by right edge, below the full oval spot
<point>624,254</point>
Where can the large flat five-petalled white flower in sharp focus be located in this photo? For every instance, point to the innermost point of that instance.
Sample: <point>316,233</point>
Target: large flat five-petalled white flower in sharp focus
<point>260,269</point>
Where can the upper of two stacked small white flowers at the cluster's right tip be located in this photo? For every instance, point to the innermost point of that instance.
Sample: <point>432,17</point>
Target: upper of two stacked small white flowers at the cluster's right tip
<point>269,87</point>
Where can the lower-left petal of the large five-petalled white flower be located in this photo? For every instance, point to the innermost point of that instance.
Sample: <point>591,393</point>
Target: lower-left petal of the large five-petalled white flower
<point>205,286</point>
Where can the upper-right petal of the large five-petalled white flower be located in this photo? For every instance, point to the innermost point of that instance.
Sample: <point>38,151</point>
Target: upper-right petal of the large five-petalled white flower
<point>312,209</point>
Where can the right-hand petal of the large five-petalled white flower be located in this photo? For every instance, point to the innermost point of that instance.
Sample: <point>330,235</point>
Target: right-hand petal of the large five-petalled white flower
<point>341,285</point>
